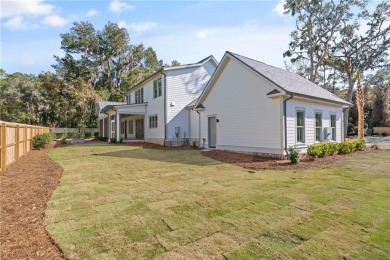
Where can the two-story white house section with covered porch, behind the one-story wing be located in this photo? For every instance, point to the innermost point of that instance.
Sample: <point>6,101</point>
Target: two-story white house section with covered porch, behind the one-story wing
<point>156,109</point>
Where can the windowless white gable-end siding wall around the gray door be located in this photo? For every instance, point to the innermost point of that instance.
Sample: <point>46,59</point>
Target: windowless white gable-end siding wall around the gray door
<point>248,120</point>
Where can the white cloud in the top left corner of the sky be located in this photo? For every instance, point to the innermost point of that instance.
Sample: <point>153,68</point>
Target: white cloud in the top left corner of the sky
<point>20,7</point>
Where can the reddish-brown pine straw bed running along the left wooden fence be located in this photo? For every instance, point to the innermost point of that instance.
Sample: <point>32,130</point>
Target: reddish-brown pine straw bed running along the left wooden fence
<point>25,190</point>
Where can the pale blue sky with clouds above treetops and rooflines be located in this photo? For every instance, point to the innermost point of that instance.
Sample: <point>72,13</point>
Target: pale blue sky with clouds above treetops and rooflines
<point>186,31</point>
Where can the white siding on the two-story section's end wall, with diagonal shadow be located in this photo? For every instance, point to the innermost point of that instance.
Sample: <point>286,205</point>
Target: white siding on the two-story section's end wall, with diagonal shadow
<point>183,86</point>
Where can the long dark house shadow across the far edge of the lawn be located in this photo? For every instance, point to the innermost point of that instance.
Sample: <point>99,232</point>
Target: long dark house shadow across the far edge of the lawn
<point>190,157</point>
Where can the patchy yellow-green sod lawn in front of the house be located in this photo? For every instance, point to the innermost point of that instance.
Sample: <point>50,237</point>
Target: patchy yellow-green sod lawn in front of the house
<point>121,202</point>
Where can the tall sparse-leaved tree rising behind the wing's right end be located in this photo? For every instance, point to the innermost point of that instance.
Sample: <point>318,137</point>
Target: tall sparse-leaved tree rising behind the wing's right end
<point>329,34</point>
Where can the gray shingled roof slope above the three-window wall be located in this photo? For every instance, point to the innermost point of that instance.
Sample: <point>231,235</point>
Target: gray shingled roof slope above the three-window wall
<point>290,82</point>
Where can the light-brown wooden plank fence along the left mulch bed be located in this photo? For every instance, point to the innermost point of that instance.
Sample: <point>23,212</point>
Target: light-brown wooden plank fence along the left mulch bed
<point>16,141</point>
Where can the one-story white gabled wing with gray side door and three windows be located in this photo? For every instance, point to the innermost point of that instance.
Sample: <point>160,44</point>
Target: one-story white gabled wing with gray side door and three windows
<point>252,107</point>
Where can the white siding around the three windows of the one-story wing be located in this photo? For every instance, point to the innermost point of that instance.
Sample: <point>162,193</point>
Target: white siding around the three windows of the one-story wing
<point>310,108</point>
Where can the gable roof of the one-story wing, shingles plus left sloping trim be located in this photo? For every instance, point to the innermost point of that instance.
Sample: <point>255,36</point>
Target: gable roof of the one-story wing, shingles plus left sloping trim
<point>288,82</point>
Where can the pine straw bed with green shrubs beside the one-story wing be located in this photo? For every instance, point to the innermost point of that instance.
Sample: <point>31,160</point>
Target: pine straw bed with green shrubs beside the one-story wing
<point>256,162</point>
